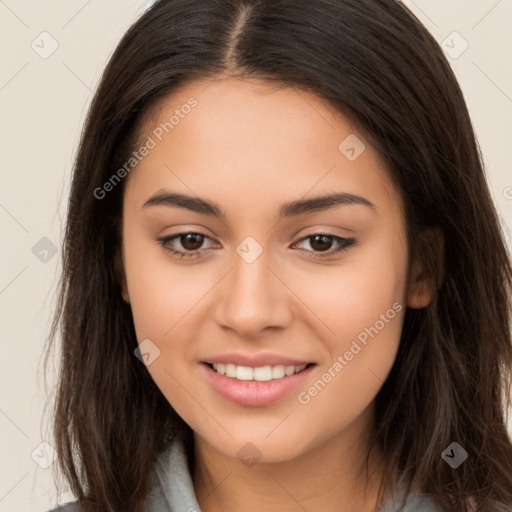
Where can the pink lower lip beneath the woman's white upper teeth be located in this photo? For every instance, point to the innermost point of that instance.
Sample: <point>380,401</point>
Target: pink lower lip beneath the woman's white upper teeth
<point>254,393</point>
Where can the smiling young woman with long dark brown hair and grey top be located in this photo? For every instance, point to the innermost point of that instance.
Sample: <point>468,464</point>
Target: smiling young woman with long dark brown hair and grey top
<point>285,286</point>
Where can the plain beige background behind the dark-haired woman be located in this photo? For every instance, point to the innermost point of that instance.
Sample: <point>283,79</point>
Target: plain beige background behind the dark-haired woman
<point>43,102</point>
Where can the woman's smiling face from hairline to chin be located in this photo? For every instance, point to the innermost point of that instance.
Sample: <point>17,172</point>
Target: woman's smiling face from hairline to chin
<point>249,171</point>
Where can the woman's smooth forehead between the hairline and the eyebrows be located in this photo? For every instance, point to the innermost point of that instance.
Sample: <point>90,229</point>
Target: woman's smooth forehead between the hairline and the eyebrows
<point>250,140</point>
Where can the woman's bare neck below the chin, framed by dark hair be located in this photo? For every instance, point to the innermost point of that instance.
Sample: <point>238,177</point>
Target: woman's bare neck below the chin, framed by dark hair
<point>328,477</point>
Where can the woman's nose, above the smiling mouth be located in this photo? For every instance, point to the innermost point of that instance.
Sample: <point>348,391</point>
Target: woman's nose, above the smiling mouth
<point>253,297</point>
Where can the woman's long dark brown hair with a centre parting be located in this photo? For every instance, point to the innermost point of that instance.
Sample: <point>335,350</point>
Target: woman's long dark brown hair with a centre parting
<point>374,62</point>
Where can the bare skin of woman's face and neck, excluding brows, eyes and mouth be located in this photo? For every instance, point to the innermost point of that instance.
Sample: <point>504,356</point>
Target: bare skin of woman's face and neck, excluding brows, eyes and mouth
<point>250,149</point>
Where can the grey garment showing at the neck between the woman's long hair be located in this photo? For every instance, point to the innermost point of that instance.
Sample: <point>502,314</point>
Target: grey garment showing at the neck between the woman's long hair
<point>173,490</point>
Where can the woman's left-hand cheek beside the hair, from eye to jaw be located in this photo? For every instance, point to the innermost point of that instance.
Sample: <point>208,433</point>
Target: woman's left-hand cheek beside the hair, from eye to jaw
<point>162,300</point>
